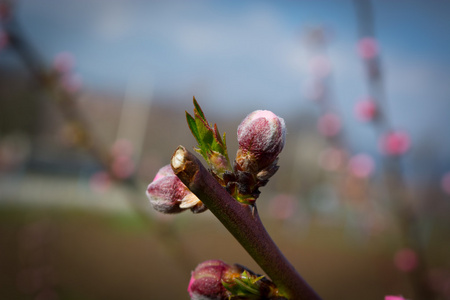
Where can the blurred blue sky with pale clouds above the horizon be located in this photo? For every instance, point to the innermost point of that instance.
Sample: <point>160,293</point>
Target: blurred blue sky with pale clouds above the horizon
<point>238,56</point>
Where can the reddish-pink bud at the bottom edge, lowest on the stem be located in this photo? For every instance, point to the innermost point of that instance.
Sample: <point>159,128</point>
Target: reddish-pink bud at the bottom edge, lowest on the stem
<point>206,281</point>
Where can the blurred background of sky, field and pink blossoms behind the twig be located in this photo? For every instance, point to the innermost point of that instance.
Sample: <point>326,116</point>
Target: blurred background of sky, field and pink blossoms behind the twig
<point>93,97</point>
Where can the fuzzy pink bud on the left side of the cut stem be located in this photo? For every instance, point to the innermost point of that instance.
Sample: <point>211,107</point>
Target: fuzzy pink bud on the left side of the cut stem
<point>167,194</point>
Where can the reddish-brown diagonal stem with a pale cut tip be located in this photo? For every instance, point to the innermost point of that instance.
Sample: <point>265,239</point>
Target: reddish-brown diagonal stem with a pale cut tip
<point>243,223</point>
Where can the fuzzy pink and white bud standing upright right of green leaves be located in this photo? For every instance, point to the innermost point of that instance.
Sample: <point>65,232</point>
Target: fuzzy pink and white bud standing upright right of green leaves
<point>261,137</point>
